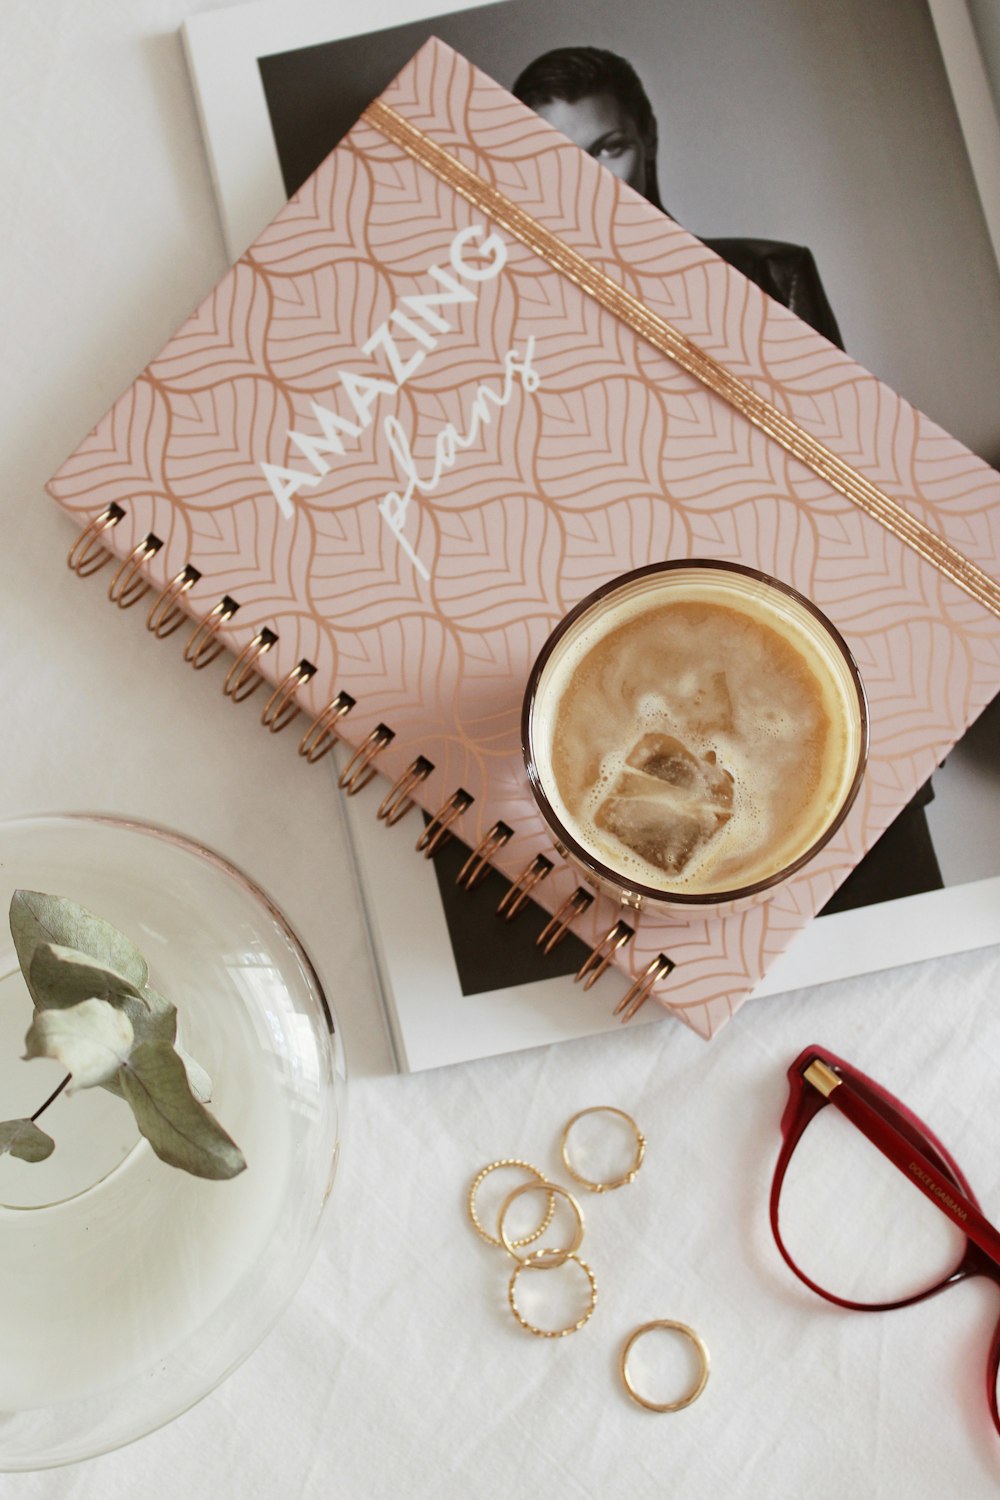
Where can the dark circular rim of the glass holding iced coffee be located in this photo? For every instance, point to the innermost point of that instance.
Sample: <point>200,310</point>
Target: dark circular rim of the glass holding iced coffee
<point>605,872</point>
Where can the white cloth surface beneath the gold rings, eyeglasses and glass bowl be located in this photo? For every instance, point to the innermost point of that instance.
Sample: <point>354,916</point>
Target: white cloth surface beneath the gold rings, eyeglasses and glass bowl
<point>398,1370</point>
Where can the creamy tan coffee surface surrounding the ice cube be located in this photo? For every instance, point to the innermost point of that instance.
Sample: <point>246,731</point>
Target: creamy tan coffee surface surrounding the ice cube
<point>735,680</point>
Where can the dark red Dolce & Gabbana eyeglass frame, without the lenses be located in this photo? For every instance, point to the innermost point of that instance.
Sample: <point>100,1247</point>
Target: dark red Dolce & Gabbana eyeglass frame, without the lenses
<point>816,1079</point>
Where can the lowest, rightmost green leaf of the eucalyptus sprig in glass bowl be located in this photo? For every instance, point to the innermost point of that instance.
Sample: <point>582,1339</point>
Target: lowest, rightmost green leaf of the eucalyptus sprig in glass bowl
<point>178,1127</point>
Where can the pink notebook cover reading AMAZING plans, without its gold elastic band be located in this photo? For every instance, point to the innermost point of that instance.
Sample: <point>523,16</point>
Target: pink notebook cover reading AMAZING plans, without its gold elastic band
<point>591,454</point>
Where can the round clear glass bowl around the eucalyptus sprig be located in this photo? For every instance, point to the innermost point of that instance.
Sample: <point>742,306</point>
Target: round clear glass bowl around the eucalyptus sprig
<point>131,1288</point>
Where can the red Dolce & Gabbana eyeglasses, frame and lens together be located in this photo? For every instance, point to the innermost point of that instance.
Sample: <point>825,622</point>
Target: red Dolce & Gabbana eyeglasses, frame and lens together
<point>825,1220</point>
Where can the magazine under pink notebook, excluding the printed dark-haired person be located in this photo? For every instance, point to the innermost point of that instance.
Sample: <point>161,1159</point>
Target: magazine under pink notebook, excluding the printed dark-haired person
<point>786,137</point>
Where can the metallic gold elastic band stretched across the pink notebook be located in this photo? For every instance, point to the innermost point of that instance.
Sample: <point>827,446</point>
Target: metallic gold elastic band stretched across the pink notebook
<point>663,337</point>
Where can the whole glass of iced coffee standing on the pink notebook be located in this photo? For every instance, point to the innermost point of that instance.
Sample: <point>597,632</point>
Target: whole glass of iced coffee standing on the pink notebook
<point>695,731</point>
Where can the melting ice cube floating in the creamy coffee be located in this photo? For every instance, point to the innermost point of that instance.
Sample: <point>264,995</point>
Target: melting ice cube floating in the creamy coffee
<point>668,803</point>
